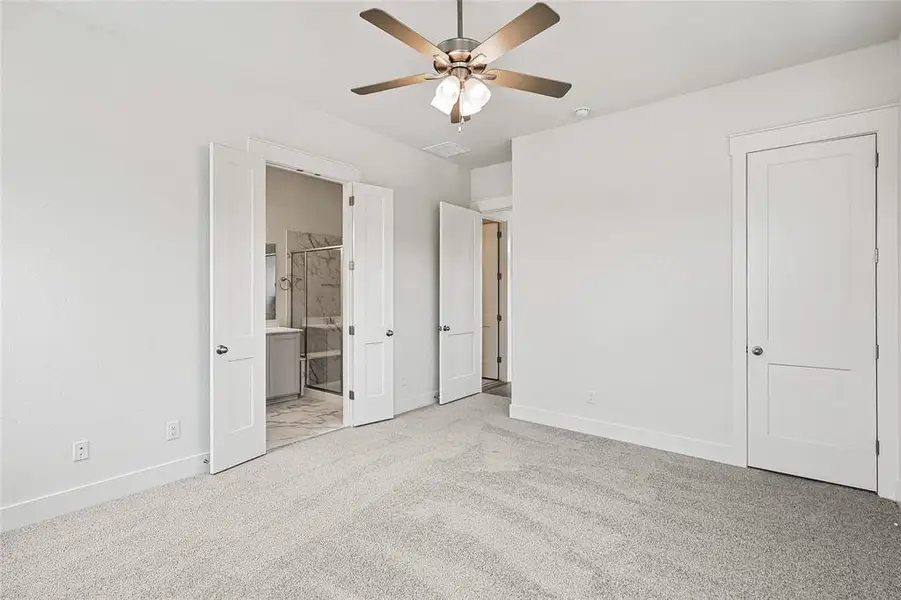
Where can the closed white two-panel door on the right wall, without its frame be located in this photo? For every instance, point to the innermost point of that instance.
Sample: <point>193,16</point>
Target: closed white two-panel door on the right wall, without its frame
<point>812,311</point>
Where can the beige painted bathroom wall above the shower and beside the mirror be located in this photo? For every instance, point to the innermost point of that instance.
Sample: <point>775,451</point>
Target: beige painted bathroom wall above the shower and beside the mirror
<point>296,202</point>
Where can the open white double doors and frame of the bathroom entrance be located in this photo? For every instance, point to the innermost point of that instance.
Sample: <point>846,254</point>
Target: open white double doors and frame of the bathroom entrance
<point>240,298</point>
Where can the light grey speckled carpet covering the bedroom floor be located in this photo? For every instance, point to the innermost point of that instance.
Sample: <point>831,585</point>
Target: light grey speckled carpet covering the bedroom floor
<point>460,501</point>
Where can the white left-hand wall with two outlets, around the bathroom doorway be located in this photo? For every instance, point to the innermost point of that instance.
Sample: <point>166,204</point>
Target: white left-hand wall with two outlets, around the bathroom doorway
<point>105,251</point>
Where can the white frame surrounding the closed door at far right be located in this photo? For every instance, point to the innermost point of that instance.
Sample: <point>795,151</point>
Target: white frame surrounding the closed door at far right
<point>883,122</point>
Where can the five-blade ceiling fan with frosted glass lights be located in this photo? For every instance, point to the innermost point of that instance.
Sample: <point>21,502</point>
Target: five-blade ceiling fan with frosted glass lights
<point>461,64</point>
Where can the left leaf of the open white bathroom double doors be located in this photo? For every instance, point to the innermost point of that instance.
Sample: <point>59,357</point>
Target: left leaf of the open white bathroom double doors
<point>237,307</point>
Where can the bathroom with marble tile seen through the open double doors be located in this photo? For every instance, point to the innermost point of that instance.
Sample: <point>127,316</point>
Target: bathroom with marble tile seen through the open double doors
<point>304,335</point>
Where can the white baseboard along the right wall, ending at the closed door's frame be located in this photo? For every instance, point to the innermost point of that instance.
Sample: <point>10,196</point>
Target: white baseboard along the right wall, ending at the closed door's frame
<point>624,433</point>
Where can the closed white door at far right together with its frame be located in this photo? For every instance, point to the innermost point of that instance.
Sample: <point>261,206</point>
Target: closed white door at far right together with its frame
<point>814,261</point>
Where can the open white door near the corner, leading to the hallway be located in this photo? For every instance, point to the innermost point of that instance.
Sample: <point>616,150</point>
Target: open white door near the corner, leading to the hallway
<point>459,303</point>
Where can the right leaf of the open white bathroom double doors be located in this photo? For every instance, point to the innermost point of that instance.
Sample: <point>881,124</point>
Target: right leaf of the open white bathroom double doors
<point>372,289</point>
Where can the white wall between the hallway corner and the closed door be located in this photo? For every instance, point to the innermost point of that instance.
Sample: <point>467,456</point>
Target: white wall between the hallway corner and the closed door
<point>622,277</point>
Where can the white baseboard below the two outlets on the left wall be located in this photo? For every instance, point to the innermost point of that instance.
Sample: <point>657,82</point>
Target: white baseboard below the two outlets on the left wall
<point>59,503</point>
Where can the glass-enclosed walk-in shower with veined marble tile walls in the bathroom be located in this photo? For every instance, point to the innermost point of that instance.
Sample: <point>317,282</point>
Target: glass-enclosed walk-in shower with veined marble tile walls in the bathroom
<point>316,309</point>
